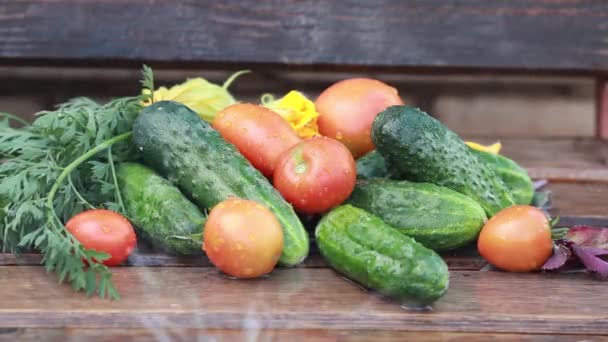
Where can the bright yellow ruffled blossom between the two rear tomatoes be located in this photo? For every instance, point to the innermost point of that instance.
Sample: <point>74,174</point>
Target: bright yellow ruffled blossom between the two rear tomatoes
<point>298,110</point>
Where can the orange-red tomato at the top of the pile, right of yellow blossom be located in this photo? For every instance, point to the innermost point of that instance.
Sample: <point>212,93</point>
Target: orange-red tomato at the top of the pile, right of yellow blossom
<point>347,110</point>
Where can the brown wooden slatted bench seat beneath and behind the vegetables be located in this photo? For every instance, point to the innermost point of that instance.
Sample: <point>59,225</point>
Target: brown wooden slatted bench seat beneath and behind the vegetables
<point>186,298</point>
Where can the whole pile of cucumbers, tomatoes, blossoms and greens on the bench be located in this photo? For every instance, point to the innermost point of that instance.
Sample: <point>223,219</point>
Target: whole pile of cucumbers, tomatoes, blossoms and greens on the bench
<point>191,171</point>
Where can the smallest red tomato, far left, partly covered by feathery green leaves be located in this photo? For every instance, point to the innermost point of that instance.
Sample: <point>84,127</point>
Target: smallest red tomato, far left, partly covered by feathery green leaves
<point>104,231</point>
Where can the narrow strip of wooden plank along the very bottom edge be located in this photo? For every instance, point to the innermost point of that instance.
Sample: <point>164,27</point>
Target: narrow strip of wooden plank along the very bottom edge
<point>257,334</point>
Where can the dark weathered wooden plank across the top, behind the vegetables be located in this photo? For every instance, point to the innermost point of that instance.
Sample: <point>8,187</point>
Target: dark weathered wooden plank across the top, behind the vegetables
<point>529,34</point>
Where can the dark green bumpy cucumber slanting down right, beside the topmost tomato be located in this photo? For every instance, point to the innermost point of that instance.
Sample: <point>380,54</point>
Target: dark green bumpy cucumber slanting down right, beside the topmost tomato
<point>419,148</point>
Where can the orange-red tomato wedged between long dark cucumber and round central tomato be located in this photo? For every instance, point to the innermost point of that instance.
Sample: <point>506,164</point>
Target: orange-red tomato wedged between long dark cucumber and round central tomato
<point>260,134</point>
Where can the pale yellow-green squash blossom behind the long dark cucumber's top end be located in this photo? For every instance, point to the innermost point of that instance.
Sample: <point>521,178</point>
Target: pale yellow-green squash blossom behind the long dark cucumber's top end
<point>200,95</point>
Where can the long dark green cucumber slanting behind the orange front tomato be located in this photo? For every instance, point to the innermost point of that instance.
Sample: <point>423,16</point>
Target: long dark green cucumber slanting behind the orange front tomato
<point>186,150</point>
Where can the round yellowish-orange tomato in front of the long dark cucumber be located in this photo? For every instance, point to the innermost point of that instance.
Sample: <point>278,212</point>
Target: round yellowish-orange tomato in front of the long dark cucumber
<point>243,238</point>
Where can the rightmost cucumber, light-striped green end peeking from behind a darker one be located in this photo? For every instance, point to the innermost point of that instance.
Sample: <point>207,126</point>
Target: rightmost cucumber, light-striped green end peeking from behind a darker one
<point>515,177</point>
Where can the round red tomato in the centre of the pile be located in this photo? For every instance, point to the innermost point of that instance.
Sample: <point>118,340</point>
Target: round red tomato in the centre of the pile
<point>316,175</point>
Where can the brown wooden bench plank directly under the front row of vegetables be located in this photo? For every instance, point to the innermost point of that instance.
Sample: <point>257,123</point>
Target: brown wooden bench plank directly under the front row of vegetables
<point>305,299</point>
